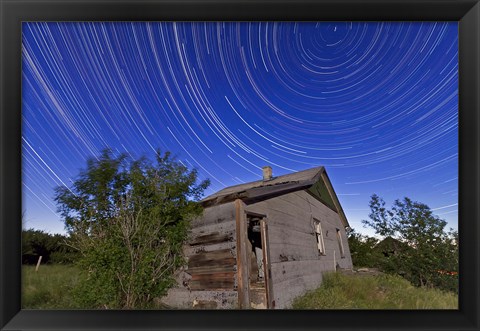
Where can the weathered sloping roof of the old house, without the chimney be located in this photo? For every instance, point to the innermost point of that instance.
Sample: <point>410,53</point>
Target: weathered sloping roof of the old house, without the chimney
<point>265,189</point>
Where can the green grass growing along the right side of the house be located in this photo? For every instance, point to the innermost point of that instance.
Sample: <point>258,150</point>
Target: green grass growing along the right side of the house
<point>340,291</point>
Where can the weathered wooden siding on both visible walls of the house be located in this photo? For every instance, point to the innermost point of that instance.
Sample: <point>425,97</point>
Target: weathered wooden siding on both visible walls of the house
<point>215,272</point>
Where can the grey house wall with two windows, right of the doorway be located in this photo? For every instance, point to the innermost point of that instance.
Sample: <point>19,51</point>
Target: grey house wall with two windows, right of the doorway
<point>295,261</point>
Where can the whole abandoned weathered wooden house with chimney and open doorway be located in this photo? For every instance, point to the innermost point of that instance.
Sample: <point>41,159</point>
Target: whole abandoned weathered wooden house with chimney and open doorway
<point>261,244</point>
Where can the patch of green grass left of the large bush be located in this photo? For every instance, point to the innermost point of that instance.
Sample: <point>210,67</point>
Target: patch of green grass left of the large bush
<point>50,287</point>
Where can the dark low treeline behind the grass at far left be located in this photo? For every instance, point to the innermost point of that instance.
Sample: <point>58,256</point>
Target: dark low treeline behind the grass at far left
<point>52,248</point>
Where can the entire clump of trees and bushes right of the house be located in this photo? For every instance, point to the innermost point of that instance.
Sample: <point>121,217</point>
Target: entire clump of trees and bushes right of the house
<point>415,244</point>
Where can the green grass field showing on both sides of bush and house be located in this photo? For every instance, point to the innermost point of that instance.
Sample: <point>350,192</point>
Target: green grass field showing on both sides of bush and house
<point>50,288</point>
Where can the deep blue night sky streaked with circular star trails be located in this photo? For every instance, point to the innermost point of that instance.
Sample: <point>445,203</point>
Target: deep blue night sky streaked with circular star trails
<point>375,103</point>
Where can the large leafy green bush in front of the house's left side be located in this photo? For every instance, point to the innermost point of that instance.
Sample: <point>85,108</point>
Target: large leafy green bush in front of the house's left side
<point>129,219</point>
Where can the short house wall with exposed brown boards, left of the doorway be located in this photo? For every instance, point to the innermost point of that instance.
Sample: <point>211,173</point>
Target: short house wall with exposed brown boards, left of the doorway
<point>209,280</point>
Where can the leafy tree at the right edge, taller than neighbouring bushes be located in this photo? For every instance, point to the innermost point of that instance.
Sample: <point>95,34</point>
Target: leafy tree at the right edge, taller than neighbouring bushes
<point>432,249</point>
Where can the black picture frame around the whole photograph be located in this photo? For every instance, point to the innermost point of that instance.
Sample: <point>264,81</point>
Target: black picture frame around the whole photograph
<point>14,12</point>
